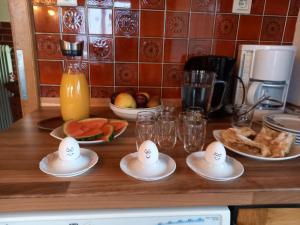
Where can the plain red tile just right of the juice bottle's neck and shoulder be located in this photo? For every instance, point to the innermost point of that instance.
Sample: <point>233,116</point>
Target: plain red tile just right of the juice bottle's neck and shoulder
<point>101,74</point>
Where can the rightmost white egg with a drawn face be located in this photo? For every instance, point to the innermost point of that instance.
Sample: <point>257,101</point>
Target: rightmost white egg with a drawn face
<point>215,153</point>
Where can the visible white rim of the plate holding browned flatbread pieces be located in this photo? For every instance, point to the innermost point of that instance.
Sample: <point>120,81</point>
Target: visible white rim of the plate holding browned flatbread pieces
<point>294,153</point>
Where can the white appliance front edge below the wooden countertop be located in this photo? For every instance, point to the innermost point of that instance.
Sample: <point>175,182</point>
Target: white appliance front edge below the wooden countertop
<point>161,216</point>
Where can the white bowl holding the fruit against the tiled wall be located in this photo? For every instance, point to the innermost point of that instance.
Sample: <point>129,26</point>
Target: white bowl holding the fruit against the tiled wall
<point>131,113</point>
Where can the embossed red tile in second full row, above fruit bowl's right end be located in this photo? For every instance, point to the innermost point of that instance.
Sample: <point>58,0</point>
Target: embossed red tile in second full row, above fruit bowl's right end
<point>151,49</point>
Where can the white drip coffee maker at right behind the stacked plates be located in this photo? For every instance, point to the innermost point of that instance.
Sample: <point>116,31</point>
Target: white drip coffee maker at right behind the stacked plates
<point>265,71</point>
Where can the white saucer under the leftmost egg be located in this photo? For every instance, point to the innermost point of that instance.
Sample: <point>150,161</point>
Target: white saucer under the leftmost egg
<point>52,165</point>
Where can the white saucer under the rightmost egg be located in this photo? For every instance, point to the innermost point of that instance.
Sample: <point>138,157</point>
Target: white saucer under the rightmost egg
<point>194,163</point>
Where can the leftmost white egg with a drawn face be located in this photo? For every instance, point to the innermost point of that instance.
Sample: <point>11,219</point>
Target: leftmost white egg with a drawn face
<point>68,149</point>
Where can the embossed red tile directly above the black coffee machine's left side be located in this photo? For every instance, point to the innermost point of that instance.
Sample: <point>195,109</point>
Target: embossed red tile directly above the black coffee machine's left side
<point>198,47</point>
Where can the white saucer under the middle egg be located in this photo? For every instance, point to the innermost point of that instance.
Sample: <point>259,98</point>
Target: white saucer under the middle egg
<point>163,168</point>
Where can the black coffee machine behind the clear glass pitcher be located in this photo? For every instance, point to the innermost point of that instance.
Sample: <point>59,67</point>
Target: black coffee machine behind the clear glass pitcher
<point>224,68</point>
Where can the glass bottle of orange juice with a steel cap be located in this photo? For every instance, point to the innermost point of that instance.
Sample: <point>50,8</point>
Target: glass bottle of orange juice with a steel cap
<point>74,89</point>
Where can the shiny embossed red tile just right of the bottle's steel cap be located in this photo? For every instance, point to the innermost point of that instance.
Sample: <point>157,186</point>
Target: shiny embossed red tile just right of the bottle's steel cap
<point>101,48</point>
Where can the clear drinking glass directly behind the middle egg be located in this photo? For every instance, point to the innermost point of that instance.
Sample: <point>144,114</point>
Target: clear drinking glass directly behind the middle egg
<point>145,127</point>
